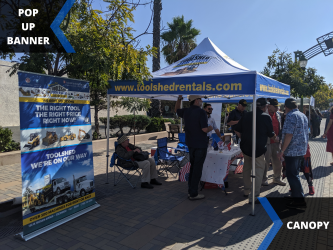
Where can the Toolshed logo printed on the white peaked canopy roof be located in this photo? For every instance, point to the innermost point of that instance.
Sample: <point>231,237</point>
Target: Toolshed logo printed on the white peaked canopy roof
<point>189,64</point>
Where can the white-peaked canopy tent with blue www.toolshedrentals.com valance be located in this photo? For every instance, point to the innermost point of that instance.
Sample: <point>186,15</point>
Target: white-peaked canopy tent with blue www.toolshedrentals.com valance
<point>206,71</point>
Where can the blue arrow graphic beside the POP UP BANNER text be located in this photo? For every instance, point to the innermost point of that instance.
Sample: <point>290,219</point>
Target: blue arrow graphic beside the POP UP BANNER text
<point>56,23</point>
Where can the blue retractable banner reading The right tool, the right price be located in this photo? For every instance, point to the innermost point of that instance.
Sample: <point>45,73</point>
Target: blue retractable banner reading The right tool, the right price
<point>56,151</point>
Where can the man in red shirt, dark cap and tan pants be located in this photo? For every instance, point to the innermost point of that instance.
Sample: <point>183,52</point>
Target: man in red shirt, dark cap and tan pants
<point>273,147</point>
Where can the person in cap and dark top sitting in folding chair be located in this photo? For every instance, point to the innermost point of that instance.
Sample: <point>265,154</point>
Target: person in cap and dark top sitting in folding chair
<point>126,151</point>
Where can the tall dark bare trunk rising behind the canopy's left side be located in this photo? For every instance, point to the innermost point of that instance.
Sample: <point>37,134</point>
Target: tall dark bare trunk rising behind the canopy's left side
<point>156,104</point>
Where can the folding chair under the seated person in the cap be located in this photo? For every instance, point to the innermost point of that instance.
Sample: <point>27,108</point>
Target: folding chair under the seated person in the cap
<point>124,172</point>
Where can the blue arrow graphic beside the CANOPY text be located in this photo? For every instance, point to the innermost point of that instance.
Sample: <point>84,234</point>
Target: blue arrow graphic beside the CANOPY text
<point>277,223</point>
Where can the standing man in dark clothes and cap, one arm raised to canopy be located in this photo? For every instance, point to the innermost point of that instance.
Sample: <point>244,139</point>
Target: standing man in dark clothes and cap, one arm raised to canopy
<point>196,129</point>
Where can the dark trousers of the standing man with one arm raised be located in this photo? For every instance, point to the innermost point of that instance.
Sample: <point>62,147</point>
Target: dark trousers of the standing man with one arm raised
<point>197,159</point>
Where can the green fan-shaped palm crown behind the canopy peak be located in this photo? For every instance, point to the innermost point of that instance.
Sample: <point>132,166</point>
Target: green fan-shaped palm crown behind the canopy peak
<point>179,40</point>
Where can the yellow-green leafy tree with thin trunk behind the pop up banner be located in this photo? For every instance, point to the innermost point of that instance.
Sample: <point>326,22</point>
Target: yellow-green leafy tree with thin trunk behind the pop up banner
<point>104,48</point>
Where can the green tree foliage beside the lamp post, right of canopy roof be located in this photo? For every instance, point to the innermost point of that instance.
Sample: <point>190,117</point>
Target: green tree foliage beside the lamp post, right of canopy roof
<point>303,82</point>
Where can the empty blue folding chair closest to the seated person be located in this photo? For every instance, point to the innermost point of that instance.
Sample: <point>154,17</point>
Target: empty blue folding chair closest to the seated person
<point>165,159</point>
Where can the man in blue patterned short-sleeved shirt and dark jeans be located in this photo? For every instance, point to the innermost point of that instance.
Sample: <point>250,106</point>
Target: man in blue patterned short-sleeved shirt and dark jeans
<point>294,146</point>
